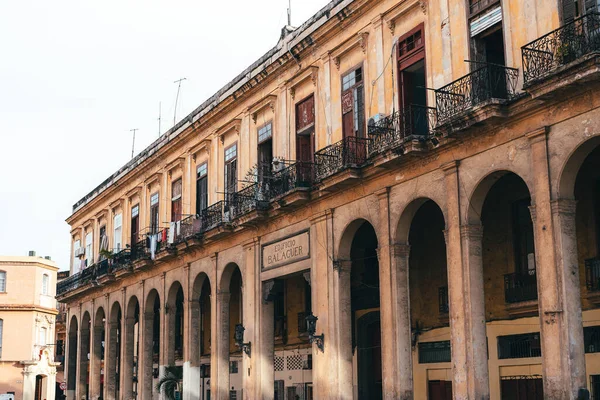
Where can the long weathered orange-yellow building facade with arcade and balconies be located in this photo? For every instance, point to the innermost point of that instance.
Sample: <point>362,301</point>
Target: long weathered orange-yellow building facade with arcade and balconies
<point>422,178</point>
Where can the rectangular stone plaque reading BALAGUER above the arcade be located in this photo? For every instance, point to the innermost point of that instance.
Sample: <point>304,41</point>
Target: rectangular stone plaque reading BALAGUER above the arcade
<point>286,251</point>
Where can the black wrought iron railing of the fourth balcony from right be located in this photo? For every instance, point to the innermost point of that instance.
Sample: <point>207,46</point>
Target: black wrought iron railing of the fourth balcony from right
<point>347,153</point>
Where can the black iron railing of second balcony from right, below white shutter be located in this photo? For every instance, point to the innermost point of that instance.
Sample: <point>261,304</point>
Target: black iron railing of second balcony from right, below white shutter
<point>490,81</point>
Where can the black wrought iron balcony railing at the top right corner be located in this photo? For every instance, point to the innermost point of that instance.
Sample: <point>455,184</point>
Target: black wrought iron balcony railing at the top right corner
<point>561,47</point>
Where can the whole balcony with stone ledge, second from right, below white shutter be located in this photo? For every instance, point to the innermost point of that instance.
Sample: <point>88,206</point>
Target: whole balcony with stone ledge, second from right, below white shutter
<point>476,97</point>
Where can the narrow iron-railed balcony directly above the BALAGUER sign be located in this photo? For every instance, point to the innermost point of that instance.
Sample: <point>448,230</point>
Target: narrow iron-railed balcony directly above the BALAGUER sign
<point>291,186</point>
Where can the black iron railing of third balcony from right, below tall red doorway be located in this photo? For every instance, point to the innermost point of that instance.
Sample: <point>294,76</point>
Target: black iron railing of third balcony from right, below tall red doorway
<point>414,122</point>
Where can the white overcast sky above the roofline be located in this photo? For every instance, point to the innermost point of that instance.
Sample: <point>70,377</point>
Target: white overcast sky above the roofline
<point>76,76</point>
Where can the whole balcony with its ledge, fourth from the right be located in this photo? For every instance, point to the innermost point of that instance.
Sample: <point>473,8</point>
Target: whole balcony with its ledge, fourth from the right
<point>347,156</point>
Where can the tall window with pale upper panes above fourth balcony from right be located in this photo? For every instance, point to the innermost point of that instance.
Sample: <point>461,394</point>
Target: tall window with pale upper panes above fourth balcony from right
<point>353,104</point>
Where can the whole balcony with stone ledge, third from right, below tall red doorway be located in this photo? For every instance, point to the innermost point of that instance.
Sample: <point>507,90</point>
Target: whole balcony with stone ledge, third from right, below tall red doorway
<point>404,132</point>
